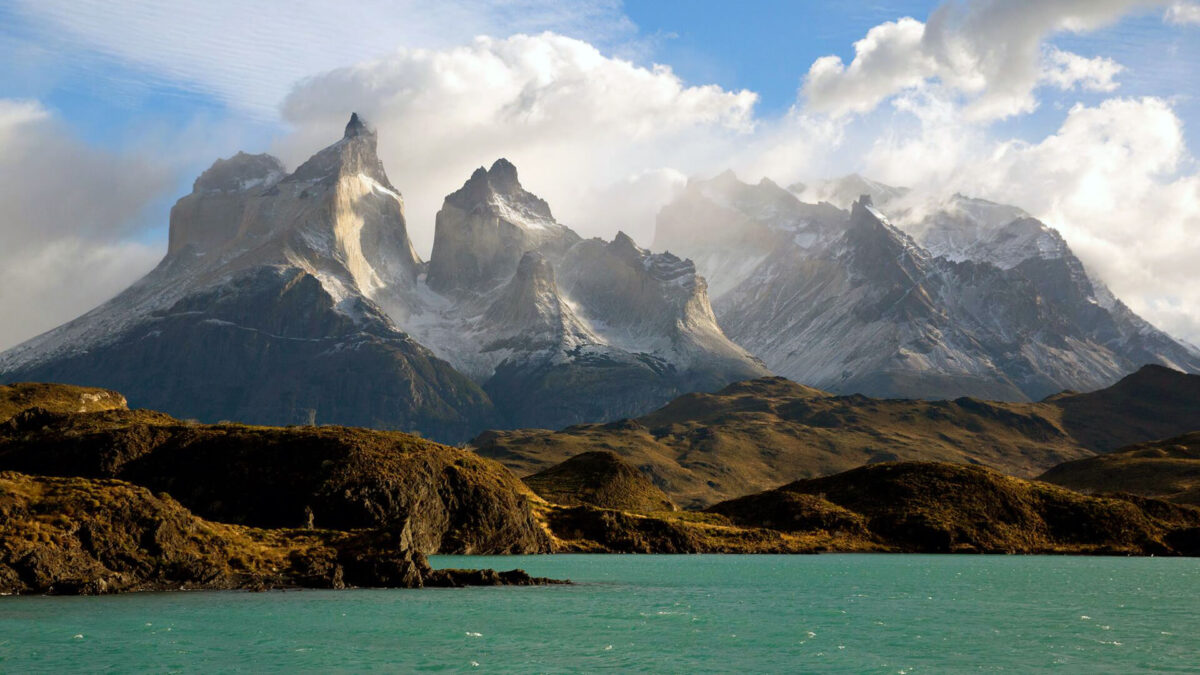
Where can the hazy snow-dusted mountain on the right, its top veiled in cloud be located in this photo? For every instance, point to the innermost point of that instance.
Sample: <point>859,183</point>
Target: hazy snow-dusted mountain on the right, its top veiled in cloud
<point>971,298</point>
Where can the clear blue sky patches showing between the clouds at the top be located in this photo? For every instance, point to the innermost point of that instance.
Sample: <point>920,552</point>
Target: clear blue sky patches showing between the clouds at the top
<point>765,46</point>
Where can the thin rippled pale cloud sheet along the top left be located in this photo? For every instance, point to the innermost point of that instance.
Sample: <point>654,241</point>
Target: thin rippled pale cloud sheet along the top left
<point>249,55</point>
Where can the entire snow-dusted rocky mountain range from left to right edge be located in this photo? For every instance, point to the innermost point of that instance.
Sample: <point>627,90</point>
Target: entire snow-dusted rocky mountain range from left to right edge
<point>298,298</point>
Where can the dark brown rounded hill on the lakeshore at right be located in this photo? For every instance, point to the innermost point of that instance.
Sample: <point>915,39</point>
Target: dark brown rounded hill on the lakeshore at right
<point>944,509</point>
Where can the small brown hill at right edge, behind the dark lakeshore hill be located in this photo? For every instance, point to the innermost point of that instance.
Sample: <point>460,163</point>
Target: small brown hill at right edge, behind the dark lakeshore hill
<point>1167,470</point>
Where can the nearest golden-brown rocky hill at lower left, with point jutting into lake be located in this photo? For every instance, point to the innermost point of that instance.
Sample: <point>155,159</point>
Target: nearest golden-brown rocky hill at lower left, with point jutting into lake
<point>81,536</point>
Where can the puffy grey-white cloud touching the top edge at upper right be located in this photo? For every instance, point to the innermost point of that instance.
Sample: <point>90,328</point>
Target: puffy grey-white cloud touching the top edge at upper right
<point>988,52</point>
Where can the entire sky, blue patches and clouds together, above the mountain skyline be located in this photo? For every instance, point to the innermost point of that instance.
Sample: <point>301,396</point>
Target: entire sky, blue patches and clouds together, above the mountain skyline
<point>1057,106</point>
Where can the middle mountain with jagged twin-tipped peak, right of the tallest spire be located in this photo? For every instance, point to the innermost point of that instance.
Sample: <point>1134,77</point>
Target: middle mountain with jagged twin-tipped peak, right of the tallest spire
<point>559,330</point>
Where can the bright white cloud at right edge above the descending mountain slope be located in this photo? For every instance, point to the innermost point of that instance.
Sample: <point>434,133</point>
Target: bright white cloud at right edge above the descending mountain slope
<point>1118,181</point>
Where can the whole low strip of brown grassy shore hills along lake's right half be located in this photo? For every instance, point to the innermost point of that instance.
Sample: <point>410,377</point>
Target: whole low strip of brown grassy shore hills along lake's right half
<point>895,507</point>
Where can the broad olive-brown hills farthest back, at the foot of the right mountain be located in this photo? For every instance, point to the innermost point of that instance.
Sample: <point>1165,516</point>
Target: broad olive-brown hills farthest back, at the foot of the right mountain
<point>751,437</point>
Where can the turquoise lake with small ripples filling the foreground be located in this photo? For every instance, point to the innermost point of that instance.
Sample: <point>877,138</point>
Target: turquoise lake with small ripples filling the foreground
<point>656,614</point>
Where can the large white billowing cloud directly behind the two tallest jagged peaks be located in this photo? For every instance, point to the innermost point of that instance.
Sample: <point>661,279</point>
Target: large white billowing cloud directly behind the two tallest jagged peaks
<point>572,120</point>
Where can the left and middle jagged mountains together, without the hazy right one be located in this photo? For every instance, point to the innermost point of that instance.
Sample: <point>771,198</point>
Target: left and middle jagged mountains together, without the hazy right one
<point>298,298</point>
